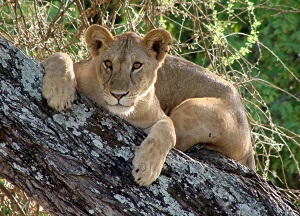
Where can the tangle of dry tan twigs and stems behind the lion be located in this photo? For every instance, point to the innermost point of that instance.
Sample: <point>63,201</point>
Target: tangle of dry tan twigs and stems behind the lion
<point>41,28</point>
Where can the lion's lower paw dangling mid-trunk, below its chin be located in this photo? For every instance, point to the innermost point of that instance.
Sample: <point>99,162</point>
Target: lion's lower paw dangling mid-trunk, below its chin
<point>148,163</point>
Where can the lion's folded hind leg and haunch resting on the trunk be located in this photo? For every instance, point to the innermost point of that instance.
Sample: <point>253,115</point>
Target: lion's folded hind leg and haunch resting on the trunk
<point>216,124</point>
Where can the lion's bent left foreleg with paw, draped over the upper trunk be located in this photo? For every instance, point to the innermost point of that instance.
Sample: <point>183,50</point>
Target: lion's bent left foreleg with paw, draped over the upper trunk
<point>59,82</point>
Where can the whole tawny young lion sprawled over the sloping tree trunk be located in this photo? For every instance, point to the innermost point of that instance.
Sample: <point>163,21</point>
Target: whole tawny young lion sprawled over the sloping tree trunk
<point>177,103</point>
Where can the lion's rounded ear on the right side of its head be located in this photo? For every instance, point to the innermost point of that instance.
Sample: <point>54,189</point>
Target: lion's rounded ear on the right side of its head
<point>158,40</point>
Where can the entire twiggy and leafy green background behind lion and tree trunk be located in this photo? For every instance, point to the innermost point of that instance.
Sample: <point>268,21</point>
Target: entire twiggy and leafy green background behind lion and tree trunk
<point>254,44</point>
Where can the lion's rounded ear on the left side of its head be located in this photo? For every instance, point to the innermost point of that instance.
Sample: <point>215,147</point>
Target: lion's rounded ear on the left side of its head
<point>97,36</point>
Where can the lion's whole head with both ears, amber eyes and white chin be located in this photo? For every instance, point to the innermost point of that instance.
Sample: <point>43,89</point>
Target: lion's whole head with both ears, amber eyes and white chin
<point>126,65</point>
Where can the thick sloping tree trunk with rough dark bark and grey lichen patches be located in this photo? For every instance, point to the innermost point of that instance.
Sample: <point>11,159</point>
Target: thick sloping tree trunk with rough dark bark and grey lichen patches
<point>79,162</point>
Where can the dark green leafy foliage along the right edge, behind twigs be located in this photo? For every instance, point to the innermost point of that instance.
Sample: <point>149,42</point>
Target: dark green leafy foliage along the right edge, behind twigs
<point>280,32</point>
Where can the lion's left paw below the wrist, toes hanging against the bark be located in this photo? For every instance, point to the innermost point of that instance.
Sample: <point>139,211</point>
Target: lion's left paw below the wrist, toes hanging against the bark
<point>59,92</point>
